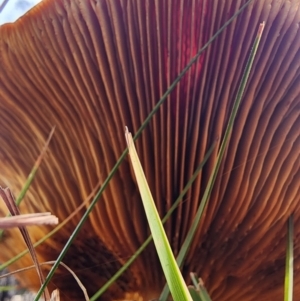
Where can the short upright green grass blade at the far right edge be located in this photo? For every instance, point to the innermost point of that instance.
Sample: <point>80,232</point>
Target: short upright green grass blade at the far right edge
<point>289,264</point>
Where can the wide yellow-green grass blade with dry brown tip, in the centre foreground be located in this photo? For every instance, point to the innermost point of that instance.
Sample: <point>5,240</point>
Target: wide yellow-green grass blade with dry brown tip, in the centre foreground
<point>172,273</point>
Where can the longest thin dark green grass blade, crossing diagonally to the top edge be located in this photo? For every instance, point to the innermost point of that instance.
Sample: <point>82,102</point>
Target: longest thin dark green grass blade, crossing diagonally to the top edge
<point>123,155</point>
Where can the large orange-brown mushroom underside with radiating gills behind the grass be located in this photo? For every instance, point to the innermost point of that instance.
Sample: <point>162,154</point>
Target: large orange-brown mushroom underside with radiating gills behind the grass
<point>89,68</point>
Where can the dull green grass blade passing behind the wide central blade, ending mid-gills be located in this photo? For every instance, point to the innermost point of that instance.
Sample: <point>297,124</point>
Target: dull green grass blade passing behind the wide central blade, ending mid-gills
<point>149,239</point>
